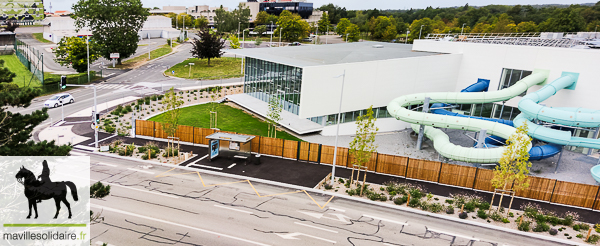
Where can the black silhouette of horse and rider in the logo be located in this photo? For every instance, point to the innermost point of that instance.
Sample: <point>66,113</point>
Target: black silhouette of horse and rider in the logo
<point>41,188</point>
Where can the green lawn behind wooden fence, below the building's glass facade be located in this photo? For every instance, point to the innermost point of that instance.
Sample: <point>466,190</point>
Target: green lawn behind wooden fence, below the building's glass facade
<point>229,119</point>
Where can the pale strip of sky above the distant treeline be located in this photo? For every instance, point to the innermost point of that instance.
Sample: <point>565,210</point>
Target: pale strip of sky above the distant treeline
<point>349,4</point>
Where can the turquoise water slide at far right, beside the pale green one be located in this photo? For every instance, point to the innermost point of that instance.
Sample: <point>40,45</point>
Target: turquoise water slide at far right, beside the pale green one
<point>574,117</point>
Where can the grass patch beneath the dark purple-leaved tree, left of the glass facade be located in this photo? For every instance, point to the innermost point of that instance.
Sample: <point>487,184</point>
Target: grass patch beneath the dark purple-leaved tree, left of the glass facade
<point>226,67</point>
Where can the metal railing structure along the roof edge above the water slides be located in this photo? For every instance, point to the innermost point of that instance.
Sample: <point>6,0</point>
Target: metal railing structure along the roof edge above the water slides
<point>527,39</point>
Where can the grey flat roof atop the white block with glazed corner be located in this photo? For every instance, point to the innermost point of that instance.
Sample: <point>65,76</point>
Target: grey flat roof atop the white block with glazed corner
<point>315,55</point>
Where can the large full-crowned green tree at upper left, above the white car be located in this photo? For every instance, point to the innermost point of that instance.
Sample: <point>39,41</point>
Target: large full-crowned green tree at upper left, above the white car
<point>114,24</point>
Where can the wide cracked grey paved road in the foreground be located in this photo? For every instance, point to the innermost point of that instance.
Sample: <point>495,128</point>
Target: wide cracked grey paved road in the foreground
<point>156,207</point>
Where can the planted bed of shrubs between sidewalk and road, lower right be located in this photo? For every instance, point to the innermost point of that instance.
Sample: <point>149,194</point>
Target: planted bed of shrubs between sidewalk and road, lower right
<point>530,217</point>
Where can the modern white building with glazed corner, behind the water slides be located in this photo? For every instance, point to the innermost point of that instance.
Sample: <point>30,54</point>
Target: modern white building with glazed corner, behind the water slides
<point>307,78</point>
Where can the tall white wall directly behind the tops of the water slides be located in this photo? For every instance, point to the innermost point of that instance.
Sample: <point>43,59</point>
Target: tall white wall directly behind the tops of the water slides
<point>488,60</point>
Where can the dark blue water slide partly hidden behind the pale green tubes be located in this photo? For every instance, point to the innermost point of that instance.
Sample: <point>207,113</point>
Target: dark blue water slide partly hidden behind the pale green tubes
<point>536,153</point>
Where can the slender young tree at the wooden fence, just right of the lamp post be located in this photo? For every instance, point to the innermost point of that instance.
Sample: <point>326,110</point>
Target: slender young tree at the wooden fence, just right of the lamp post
<point>363,145</point>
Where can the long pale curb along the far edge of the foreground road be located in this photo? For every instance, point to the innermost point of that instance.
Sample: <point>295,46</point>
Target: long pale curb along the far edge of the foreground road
<point>343,196</point>
